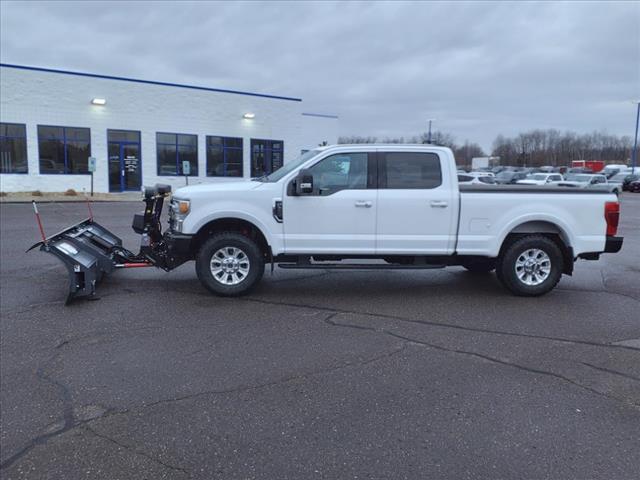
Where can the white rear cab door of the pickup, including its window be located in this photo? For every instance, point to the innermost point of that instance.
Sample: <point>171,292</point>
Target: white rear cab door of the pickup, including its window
<point>417,204</point>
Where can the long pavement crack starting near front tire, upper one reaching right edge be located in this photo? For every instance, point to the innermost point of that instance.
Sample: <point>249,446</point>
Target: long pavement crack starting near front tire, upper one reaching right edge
<point>438,324</point>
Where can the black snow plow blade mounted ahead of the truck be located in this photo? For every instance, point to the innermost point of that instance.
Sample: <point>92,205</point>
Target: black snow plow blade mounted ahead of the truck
<point>88,251</point>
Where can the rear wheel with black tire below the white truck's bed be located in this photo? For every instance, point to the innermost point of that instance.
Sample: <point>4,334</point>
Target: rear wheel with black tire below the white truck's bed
<point>509,273</point>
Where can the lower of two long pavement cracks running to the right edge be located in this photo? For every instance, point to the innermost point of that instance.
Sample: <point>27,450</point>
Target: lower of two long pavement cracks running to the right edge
<point>330,321</point>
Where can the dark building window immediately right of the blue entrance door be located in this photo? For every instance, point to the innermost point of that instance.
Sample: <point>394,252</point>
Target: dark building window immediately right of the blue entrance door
<point>175,148</point>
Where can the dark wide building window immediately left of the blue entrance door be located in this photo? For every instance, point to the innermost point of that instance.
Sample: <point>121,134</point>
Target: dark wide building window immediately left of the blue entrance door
<point>64,150</point>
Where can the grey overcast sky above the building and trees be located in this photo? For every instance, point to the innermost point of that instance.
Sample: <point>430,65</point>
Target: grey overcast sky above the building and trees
<point>478,69</point>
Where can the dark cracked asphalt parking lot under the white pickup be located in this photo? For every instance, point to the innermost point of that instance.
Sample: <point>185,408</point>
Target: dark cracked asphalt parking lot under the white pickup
<point>436,374</point>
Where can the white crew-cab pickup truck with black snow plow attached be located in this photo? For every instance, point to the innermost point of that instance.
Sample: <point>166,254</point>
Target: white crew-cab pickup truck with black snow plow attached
<point>355,207</point>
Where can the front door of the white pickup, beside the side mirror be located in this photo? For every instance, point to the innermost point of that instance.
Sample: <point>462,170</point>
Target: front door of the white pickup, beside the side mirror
<point>339,215</point>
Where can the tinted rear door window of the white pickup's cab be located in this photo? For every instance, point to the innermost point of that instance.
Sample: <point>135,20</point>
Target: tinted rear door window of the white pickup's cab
<point>409,170</point>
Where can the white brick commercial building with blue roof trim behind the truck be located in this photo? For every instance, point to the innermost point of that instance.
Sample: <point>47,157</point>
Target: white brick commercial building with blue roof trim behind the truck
<point>142,131</point>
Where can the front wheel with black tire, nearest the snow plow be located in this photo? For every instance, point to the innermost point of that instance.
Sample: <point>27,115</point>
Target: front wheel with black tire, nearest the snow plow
<point>246,275</point>
